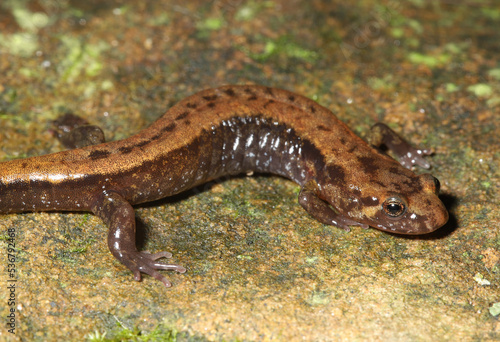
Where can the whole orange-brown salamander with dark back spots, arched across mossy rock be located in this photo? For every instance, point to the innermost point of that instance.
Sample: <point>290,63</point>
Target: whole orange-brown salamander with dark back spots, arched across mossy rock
<point>344,180</point>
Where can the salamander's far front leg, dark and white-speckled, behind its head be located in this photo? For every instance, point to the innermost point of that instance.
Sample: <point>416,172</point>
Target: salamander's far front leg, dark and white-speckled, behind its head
<point>408,155</point>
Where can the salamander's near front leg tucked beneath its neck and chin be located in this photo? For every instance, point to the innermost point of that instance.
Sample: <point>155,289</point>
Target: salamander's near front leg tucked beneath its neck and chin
<point>321,210</point>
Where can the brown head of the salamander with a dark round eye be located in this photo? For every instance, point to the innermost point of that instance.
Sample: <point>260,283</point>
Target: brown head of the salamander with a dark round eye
<point>414,208</point>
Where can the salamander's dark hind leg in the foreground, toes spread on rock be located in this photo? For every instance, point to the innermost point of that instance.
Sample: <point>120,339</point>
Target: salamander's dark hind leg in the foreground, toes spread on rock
<point>119,215</point>
